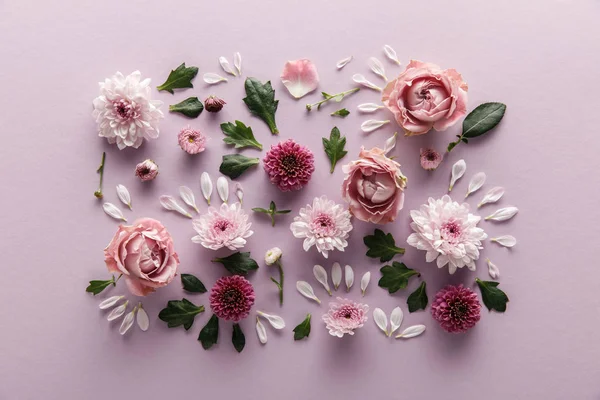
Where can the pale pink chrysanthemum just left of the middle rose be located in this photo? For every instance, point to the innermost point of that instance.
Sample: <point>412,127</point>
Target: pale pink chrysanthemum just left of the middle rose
<point>323,224</point>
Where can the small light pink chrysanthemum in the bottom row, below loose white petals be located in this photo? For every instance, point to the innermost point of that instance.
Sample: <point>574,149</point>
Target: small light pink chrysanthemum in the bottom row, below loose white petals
<point>345,316</point>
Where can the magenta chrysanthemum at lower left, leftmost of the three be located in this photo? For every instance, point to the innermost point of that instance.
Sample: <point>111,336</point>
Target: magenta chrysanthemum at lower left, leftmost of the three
<point>231,298</point>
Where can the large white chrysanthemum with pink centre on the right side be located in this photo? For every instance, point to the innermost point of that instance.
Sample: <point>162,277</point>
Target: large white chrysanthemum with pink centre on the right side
<point>448,233</point>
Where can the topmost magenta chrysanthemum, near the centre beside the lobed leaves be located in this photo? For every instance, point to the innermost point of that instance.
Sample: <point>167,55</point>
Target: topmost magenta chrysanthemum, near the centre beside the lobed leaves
<point>289,165</point>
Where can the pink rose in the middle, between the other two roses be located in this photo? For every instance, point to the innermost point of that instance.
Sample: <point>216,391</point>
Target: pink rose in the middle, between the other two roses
<point>374,187</point>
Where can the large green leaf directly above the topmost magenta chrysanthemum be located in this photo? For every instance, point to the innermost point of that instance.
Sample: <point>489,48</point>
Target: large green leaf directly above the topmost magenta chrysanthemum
<point>260,99</point>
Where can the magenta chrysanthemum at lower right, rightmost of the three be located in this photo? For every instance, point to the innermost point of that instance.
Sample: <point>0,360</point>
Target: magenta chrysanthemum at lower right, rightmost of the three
<point>456,308</point>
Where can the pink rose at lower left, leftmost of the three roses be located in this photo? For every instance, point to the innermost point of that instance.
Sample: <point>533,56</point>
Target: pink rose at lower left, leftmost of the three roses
<point>144,254</point>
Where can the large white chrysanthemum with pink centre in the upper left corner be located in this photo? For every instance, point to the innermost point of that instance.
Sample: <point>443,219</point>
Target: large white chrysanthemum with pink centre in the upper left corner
<point>124,111</point>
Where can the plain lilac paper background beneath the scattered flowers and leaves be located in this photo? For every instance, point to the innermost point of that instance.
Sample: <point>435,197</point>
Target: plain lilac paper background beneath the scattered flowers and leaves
<point>540,57</point>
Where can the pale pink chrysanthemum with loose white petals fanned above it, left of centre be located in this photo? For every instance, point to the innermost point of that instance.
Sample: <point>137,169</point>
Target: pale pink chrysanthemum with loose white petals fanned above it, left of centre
<point>225,227</point>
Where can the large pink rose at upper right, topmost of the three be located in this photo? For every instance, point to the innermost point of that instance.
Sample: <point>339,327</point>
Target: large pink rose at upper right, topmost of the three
<point>424,96</point>
